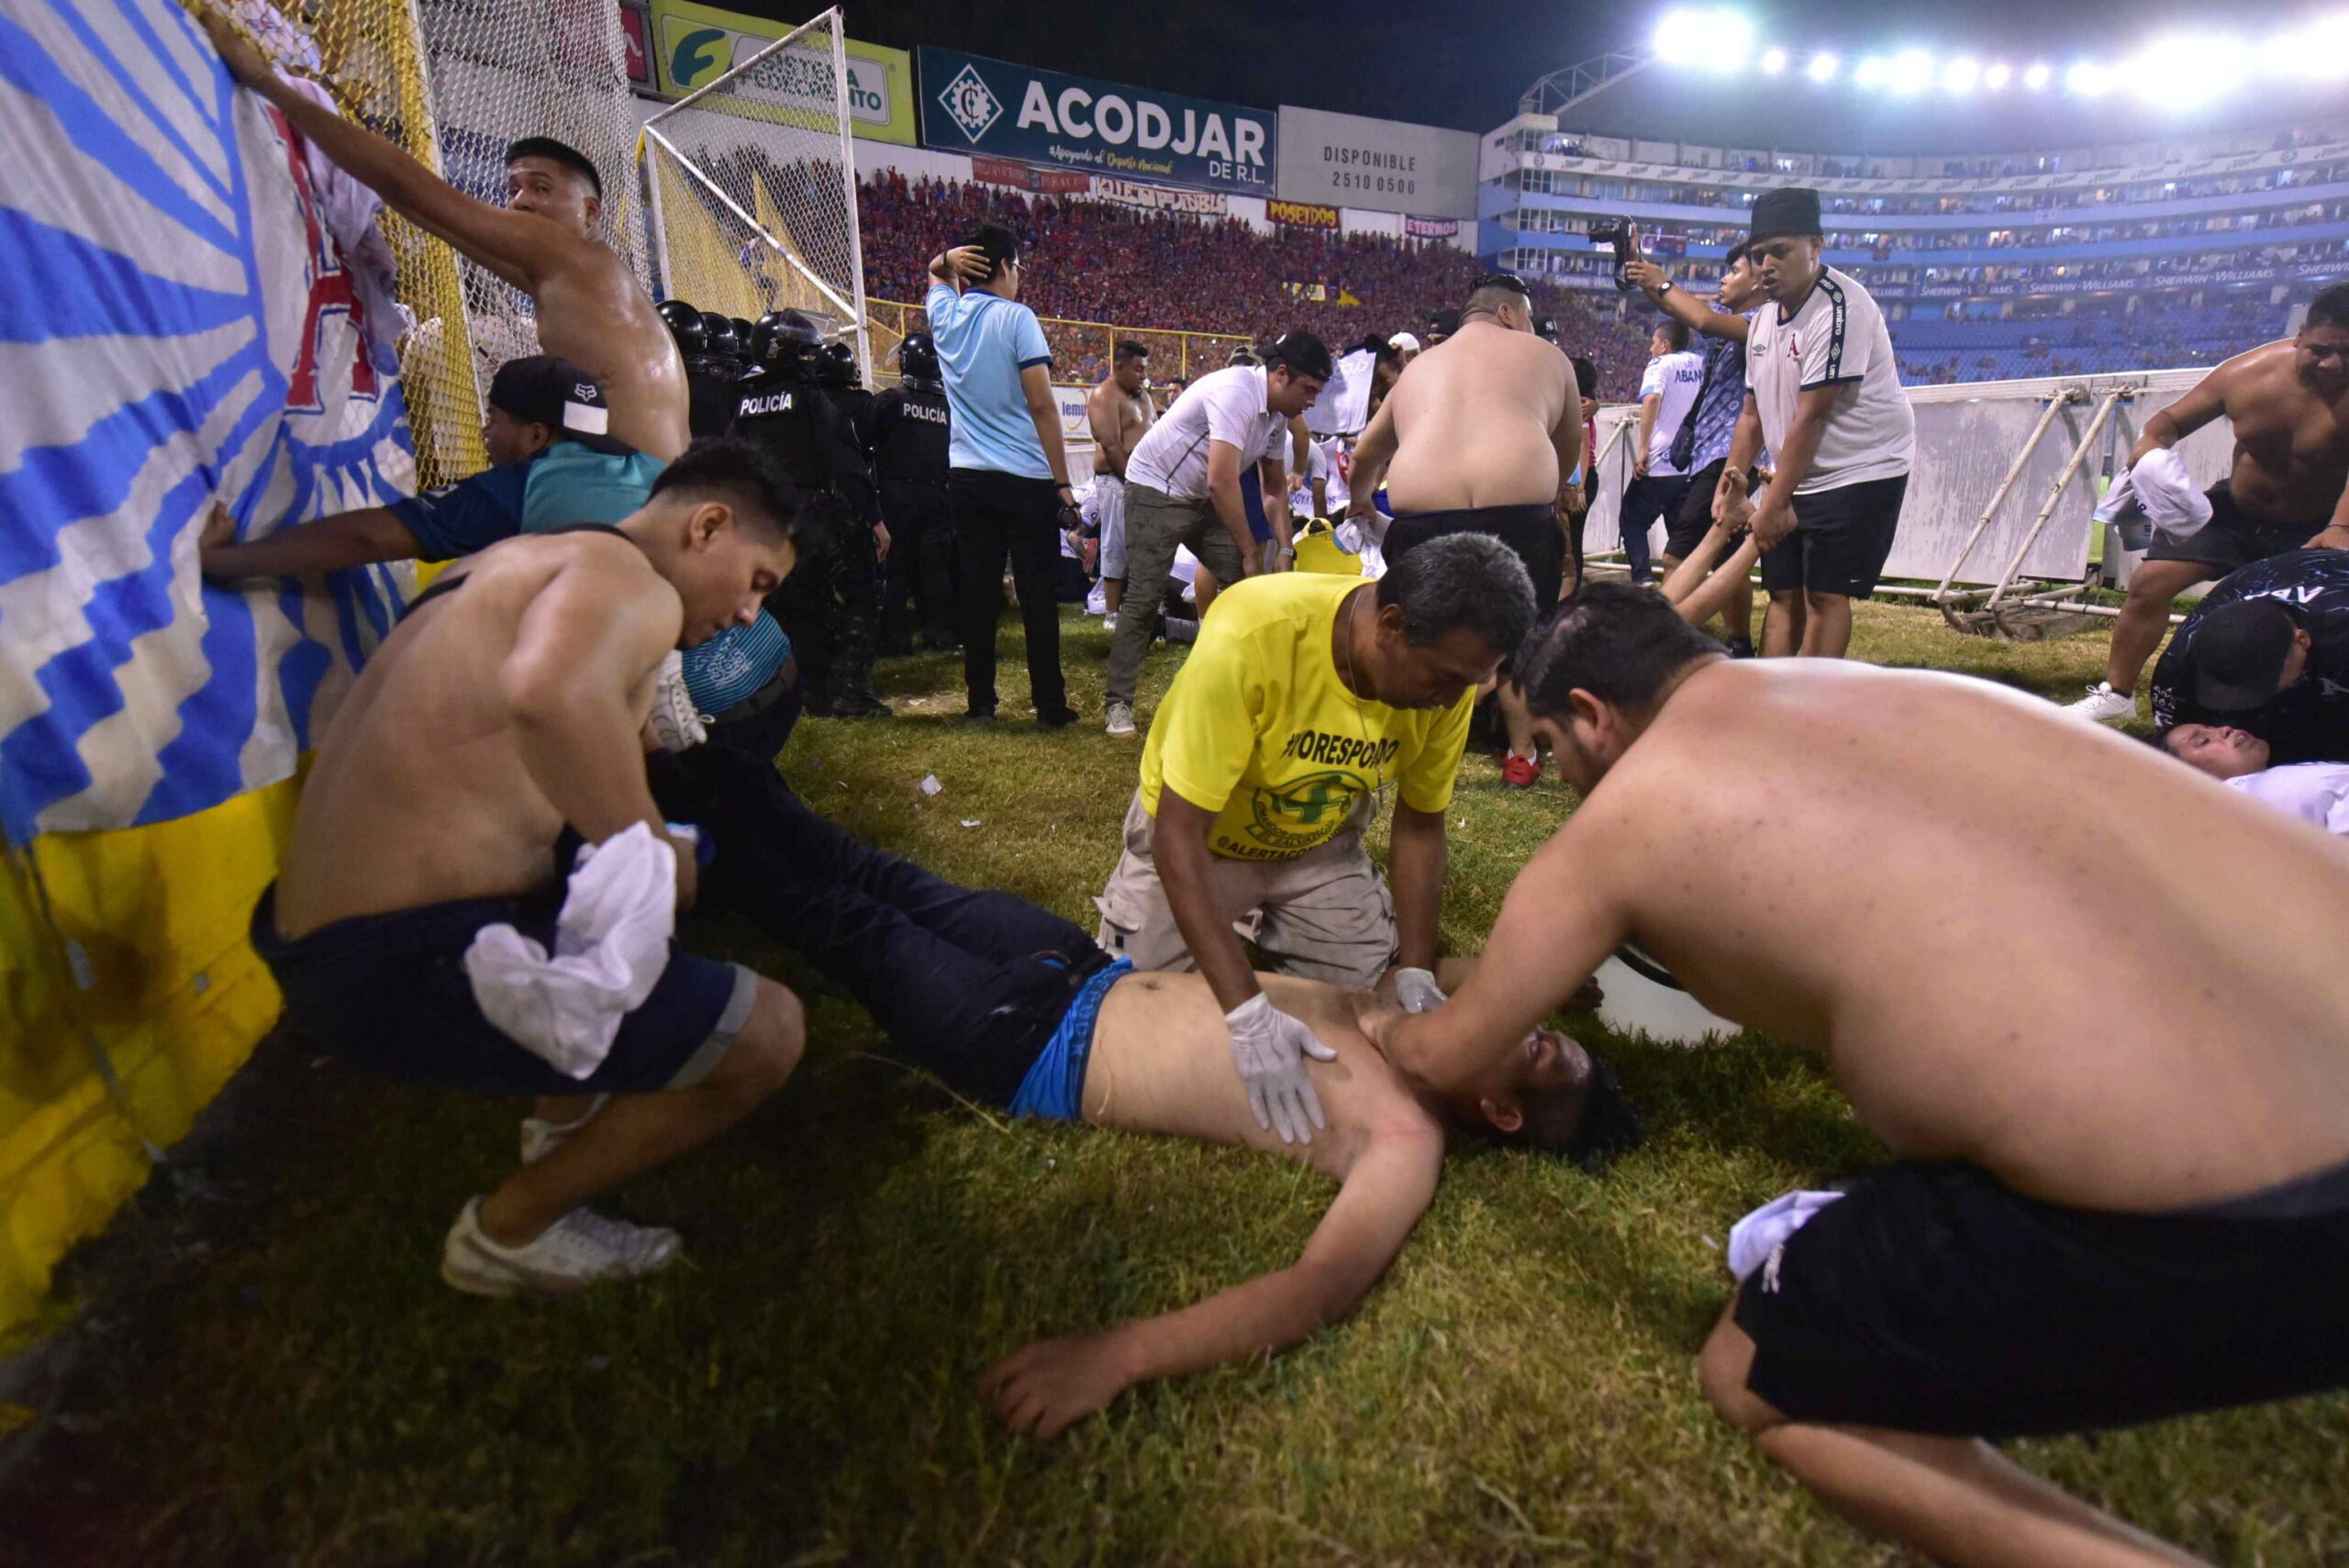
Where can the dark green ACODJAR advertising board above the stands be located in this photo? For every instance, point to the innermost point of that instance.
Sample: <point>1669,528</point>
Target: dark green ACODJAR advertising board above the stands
<point>974,104</point>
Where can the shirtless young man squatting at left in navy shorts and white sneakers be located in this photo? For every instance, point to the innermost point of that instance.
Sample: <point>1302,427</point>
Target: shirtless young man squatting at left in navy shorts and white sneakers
<point>502,712</point>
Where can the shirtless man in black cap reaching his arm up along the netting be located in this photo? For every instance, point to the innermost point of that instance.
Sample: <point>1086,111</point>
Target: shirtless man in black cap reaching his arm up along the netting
<point>591,309</point>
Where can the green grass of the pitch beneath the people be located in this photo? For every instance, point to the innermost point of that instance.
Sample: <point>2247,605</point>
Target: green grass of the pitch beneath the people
<point>274,1372</point>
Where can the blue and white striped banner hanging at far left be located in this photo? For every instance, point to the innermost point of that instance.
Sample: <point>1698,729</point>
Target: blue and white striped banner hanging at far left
<point>182,330</point>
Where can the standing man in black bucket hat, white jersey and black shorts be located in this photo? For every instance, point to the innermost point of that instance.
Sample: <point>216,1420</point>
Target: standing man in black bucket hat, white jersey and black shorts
<point>1826,396</point>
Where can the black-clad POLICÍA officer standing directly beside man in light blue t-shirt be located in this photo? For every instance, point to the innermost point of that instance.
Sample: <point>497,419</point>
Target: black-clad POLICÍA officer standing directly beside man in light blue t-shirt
<point>913,428</point>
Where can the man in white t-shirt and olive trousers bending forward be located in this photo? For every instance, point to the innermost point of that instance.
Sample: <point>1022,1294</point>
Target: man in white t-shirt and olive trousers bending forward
<point>1183,487</point>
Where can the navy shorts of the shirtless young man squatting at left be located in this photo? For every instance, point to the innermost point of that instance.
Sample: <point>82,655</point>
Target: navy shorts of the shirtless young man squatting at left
<point>391,992</point>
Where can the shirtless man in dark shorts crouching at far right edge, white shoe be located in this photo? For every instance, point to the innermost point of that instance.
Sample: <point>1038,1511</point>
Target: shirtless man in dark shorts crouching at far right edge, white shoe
<point>2289,405</point>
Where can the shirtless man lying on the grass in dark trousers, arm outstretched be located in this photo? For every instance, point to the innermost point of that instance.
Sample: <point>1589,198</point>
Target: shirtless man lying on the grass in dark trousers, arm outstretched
<point>1018,1008</point>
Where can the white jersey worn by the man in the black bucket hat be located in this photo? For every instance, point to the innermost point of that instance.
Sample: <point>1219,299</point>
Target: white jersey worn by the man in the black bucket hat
<point>1836,339</point>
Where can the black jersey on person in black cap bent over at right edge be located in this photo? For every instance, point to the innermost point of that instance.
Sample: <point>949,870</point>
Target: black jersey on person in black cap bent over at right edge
<point>2310,719</point>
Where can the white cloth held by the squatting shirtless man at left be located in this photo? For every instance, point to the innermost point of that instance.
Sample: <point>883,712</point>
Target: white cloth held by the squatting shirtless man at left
<point>612,942</point>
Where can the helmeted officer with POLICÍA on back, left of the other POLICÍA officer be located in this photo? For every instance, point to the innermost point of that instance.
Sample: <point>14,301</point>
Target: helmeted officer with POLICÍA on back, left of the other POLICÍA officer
<point>830,604</point>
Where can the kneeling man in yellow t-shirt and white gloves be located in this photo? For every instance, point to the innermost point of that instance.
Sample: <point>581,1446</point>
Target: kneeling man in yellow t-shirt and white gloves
<point>1305,698</point>
